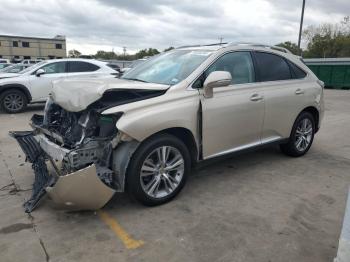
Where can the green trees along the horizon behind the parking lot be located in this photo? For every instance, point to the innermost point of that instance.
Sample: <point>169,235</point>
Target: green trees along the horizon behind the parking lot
<point>325,40</point>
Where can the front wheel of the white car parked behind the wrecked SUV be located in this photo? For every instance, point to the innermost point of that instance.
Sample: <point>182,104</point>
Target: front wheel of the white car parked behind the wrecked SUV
<point>13,101</point>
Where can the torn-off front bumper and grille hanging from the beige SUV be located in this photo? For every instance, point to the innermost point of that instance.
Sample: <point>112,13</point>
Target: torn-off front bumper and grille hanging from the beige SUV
<point>78,190</point>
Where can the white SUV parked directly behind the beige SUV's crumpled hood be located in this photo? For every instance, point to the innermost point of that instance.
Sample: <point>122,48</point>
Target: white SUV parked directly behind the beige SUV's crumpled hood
<point>34,83</point>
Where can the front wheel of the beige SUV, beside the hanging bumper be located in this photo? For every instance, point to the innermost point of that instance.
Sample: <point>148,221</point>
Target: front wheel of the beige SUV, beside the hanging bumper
<point>167,183</point>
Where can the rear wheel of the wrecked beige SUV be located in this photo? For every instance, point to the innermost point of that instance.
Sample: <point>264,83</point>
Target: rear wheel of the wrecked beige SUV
<point>301,137</point>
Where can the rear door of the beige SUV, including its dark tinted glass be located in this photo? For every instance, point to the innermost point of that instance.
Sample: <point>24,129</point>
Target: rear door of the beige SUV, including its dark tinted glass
<point>286,93</point>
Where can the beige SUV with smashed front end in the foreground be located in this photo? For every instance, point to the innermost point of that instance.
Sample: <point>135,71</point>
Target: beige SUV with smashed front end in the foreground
<point>142,133</point>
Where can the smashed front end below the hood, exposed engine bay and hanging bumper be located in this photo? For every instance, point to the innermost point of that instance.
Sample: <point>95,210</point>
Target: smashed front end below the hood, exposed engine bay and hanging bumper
<point>78,146</point>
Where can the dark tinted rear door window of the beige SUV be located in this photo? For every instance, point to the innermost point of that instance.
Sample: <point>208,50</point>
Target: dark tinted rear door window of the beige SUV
<point>272,67</point>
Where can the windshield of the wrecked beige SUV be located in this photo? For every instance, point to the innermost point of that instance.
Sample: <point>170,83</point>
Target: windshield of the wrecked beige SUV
<point>168,68</point>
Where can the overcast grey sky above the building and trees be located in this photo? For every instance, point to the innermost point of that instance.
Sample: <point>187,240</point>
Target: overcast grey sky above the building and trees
<point>91,25</point>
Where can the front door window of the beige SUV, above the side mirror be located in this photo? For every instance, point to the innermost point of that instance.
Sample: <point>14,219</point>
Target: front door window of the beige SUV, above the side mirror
<point>239,64</point>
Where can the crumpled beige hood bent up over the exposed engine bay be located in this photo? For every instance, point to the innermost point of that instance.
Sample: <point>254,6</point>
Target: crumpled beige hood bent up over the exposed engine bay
<point>76,94</point>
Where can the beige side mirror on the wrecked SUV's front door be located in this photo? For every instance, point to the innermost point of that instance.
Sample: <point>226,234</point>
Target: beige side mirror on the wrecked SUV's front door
<point>216,79</point>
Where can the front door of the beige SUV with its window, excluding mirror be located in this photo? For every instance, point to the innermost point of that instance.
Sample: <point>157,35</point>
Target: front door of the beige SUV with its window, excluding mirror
<point>233,117</point>
